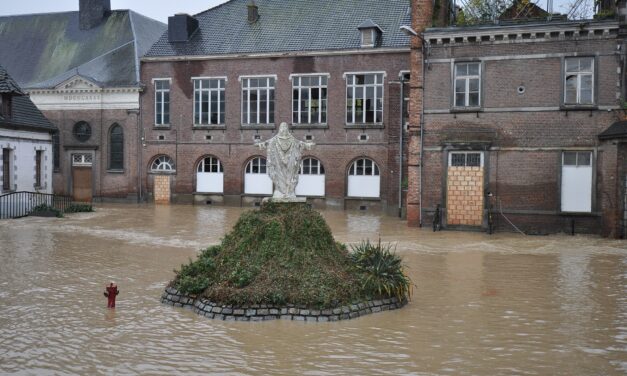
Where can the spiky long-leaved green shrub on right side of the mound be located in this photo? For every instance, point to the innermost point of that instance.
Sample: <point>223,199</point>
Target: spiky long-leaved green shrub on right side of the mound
<point>381,270</point>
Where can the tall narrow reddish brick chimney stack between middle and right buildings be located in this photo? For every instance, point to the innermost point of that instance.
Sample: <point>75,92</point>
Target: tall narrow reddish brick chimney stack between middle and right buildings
<point>421,18</point>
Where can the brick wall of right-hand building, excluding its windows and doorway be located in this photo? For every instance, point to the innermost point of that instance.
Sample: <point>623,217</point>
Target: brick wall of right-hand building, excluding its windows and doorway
<point>522,126</point>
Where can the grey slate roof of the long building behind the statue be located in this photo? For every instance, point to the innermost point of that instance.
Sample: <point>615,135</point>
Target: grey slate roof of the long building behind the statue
<point>290,25</point>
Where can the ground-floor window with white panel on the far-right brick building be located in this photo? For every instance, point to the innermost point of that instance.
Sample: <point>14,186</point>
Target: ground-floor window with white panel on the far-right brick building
<point>577,181</point>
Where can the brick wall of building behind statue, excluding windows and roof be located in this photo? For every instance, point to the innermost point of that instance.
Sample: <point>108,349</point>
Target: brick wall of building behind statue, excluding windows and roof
<point>337,145</point>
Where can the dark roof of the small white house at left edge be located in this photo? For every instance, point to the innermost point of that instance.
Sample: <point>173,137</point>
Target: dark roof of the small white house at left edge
<point>24,113</point>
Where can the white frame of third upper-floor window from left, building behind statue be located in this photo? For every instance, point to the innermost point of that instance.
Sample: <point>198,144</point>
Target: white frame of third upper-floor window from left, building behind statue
<point>270,91</point>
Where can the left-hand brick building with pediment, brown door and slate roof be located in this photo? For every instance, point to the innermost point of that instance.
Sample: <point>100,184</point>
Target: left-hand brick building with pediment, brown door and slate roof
<point>81,69</point>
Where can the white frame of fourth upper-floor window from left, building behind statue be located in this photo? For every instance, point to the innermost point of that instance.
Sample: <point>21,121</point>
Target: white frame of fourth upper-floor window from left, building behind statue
<point>322,114</point>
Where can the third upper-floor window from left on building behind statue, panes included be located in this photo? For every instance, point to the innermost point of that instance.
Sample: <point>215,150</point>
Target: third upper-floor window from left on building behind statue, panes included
<point>258,100</point>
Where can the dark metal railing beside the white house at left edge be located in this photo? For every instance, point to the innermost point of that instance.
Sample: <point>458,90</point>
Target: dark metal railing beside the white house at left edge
<point>21,204</point>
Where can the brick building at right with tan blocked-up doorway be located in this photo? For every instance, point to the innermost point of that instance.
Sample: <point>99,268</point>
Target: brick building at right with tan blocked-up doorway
<point>513,120</point>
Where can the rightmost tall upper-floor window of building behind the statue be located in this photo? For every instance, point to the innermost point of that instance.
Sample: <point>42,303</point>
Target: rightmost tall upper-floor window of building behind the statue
<point>364,98</point>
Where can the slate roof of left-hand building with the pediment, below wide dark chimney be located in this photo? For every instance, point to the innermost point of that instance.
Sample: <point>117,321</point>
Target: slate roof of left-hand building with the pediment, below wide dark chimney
<point>47,49</point>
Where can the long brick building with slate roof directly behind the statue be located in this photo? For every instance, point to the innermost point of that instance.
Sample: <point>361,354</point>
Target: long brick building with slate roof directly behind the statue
<point>220,81</point>
